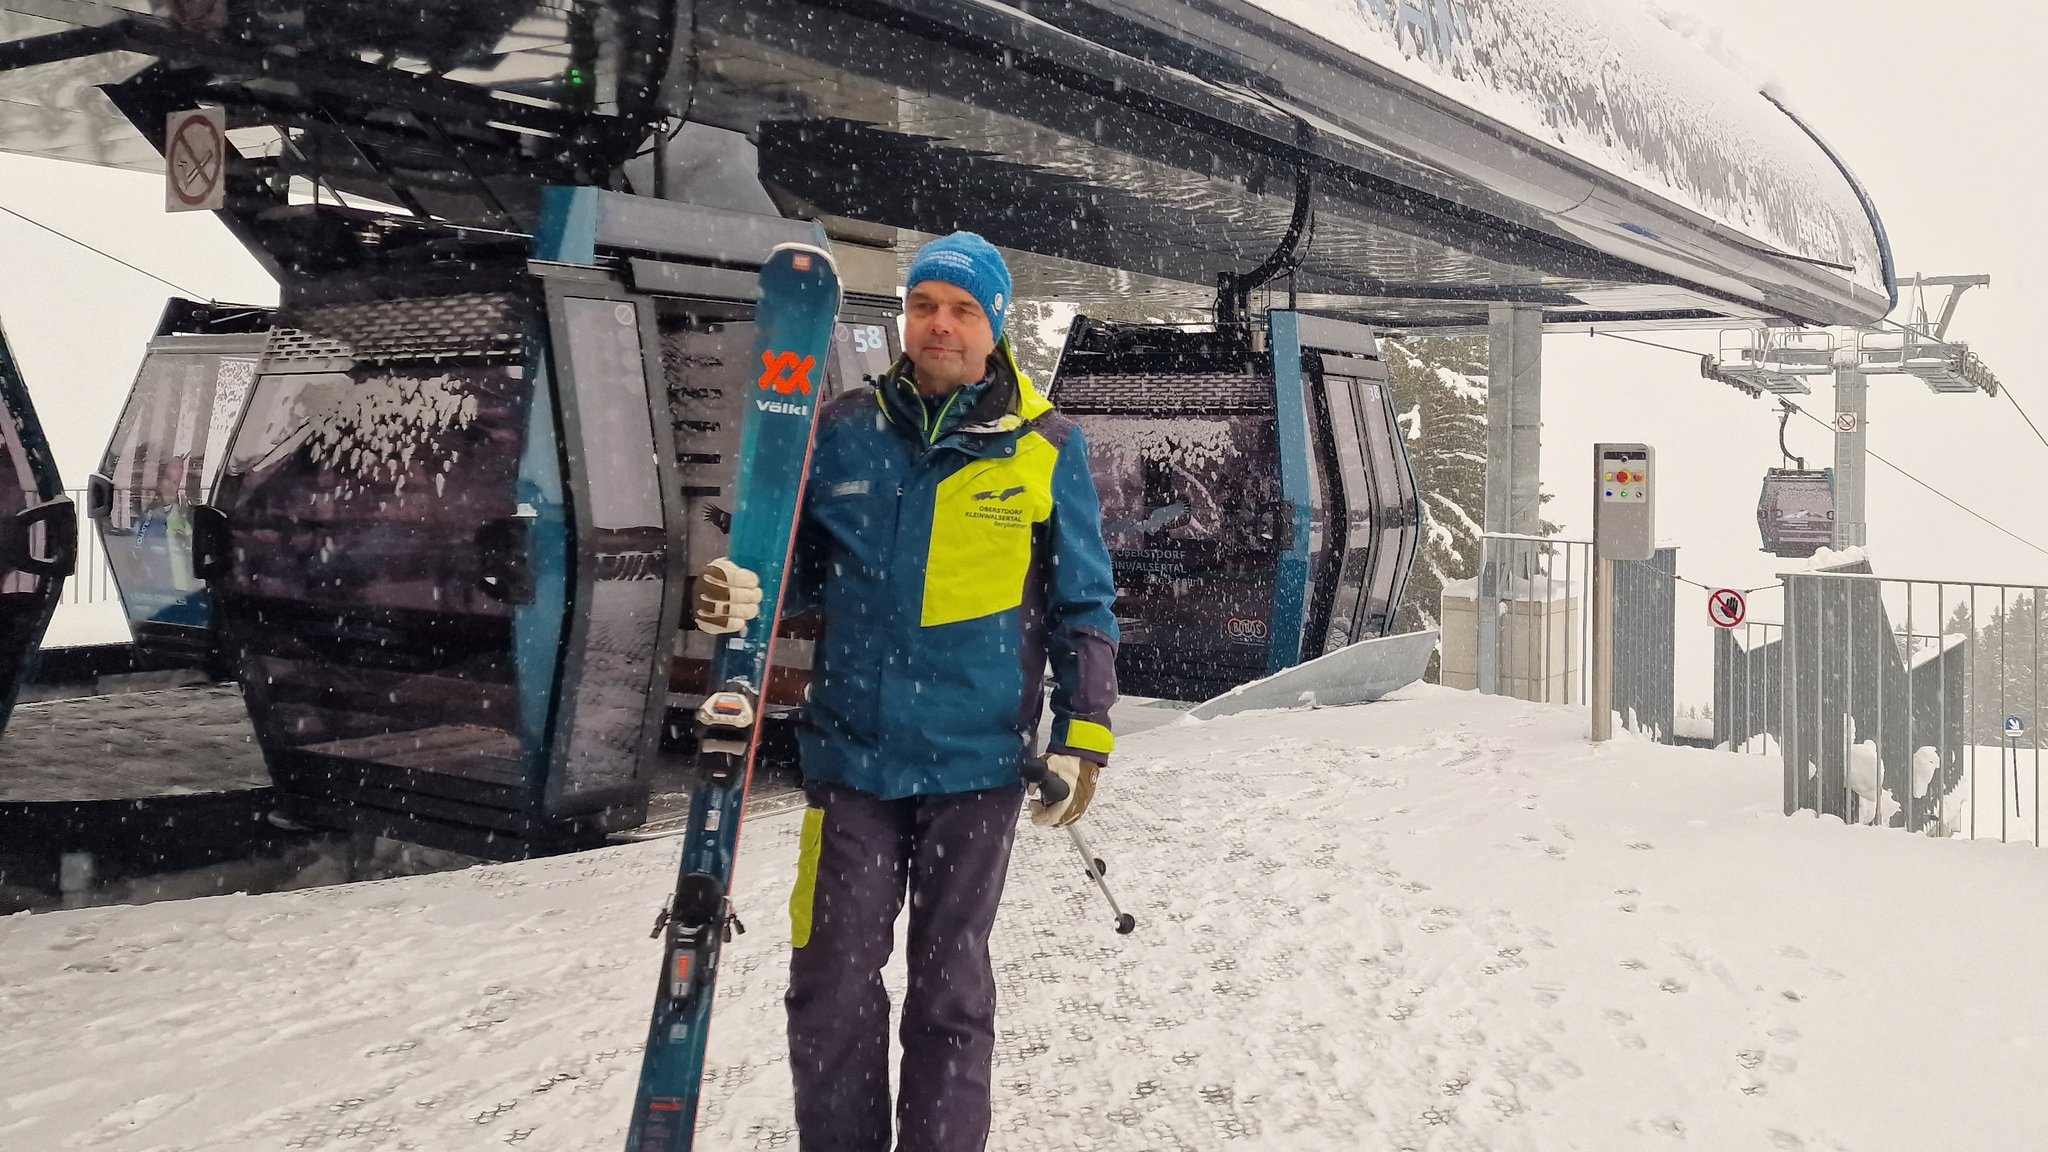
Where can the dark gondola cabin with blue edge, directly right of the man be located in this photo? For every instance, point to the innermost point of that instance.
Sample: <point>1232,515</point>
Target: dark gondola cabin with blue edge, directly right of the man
<point>1256,493</point>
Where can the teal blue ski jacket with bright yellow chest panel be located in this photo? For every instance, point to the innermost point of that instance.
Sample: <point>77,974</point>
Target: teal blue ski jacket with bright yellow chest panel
<point>951,559</point>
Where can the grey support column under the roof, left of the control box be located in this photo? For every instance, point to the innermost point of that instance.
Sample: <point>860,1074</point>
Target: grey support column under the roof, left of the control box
<point>1514,450</point>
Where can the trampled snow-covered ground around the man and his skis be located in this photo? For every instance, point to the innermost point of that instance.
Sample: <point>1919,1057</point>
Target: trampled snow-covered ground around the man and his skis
<point>1435,923</point>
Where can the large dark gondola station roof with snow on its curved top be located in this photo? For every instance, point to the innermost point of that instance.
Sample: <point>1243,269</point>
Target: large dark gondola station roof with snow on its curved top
<point>1566,155</point>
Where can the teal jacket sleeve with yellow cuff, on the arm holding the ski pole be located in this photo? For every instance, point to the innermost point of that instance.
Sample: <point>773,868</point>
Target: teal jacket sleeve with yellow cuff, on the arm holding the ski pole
<point>1080,612</point>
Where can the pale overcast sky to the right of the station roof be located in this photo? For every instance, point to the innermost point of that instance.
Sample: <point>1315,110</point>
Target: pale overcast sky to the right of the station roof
<point>1924,101</point>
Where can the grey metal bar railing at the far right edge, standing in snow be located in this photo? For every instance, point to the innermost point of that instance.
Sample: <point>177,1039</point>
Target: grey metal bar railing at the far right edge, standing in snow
<point>1914,704</point>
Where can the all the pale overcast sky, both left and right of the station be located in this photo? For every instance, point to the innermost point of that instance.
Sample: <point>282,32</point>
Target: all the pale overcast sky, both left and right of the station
<point>1934,108</point>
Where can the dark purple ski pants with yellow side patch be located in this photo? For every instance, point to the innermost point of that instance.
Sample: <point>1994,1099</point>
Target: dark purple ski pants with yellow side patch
<point>859,856</point>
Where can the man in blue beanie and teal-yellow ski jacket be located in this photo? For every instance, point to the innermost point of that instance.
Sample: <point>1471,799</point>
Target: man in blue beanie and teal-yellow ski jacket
<point>953,542</point>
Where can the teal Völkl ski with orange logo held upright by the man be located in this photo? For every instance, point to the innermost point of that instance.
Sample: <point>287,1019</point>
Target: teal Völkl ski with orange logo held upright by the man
<point>800,302</point>
